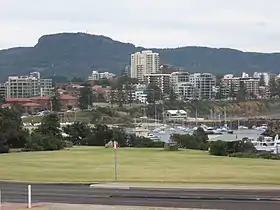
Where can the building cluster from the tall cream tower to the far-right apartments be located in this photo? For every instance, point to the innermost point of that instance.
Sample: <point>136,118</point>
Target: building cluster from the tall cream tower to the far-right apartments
<point>145,67</point>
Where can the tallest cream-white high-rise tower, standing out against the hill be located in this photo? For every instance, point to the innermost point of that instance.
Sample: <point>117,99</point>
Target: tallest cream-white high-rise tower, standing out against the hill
<point>145,62</point>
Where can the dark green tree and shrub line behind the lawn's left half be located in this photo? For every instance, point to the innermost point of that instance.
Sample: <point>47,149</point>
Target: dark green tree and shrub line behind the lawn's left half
<point>50,136</point>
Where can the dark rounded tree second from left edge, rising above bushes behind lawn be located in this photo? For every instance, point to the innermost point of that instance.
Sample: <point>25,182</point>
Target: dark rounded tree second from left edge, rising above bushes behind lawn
<point>50,125</point>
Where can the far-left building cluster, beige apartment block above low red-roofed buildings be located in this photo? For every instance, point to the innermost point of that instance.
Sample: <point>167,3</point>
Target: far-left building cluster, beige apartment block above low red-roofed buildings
<point>33,93</point>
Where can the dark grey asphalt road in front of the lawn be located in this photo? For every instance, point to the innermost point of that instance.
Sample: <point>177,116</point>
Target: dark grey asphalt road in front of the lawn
<point>188,198</point>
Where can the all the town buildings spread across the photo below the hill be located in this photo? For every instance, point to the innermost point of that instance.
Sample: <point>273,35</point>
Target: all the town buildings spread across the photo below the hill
<point>34,91</point>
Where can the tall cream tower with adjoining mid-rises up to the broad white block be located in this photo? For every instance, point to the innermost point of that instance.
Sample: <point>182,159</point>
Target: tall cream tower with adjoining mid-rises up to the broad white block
<point>146,68</point>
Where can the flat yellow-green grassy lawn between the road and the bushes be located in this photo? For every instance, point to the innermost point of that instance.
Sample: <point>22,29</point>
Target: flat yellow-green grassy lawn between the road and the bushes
<point>88,164</point>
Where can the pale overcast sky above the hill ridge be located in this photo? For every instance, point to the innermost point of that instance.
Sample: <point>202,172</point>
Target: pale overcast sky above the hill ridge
<point>248,25</point>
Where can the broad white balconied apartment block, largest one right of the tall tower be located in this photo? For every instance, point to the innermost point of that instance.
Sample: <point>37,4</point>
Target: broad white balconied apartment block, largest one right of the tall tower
<point>205,84</point>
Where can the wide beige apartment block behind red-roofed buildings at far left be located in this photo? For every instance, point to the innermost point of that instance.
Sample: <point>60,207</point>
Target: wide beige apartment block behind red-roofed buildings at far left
<point>28,86</point>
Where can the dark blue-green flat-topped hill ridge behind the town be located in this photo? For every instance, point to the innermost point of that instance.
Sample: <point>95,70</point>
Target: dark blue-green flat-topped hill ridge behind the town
<point>78,54</point>
